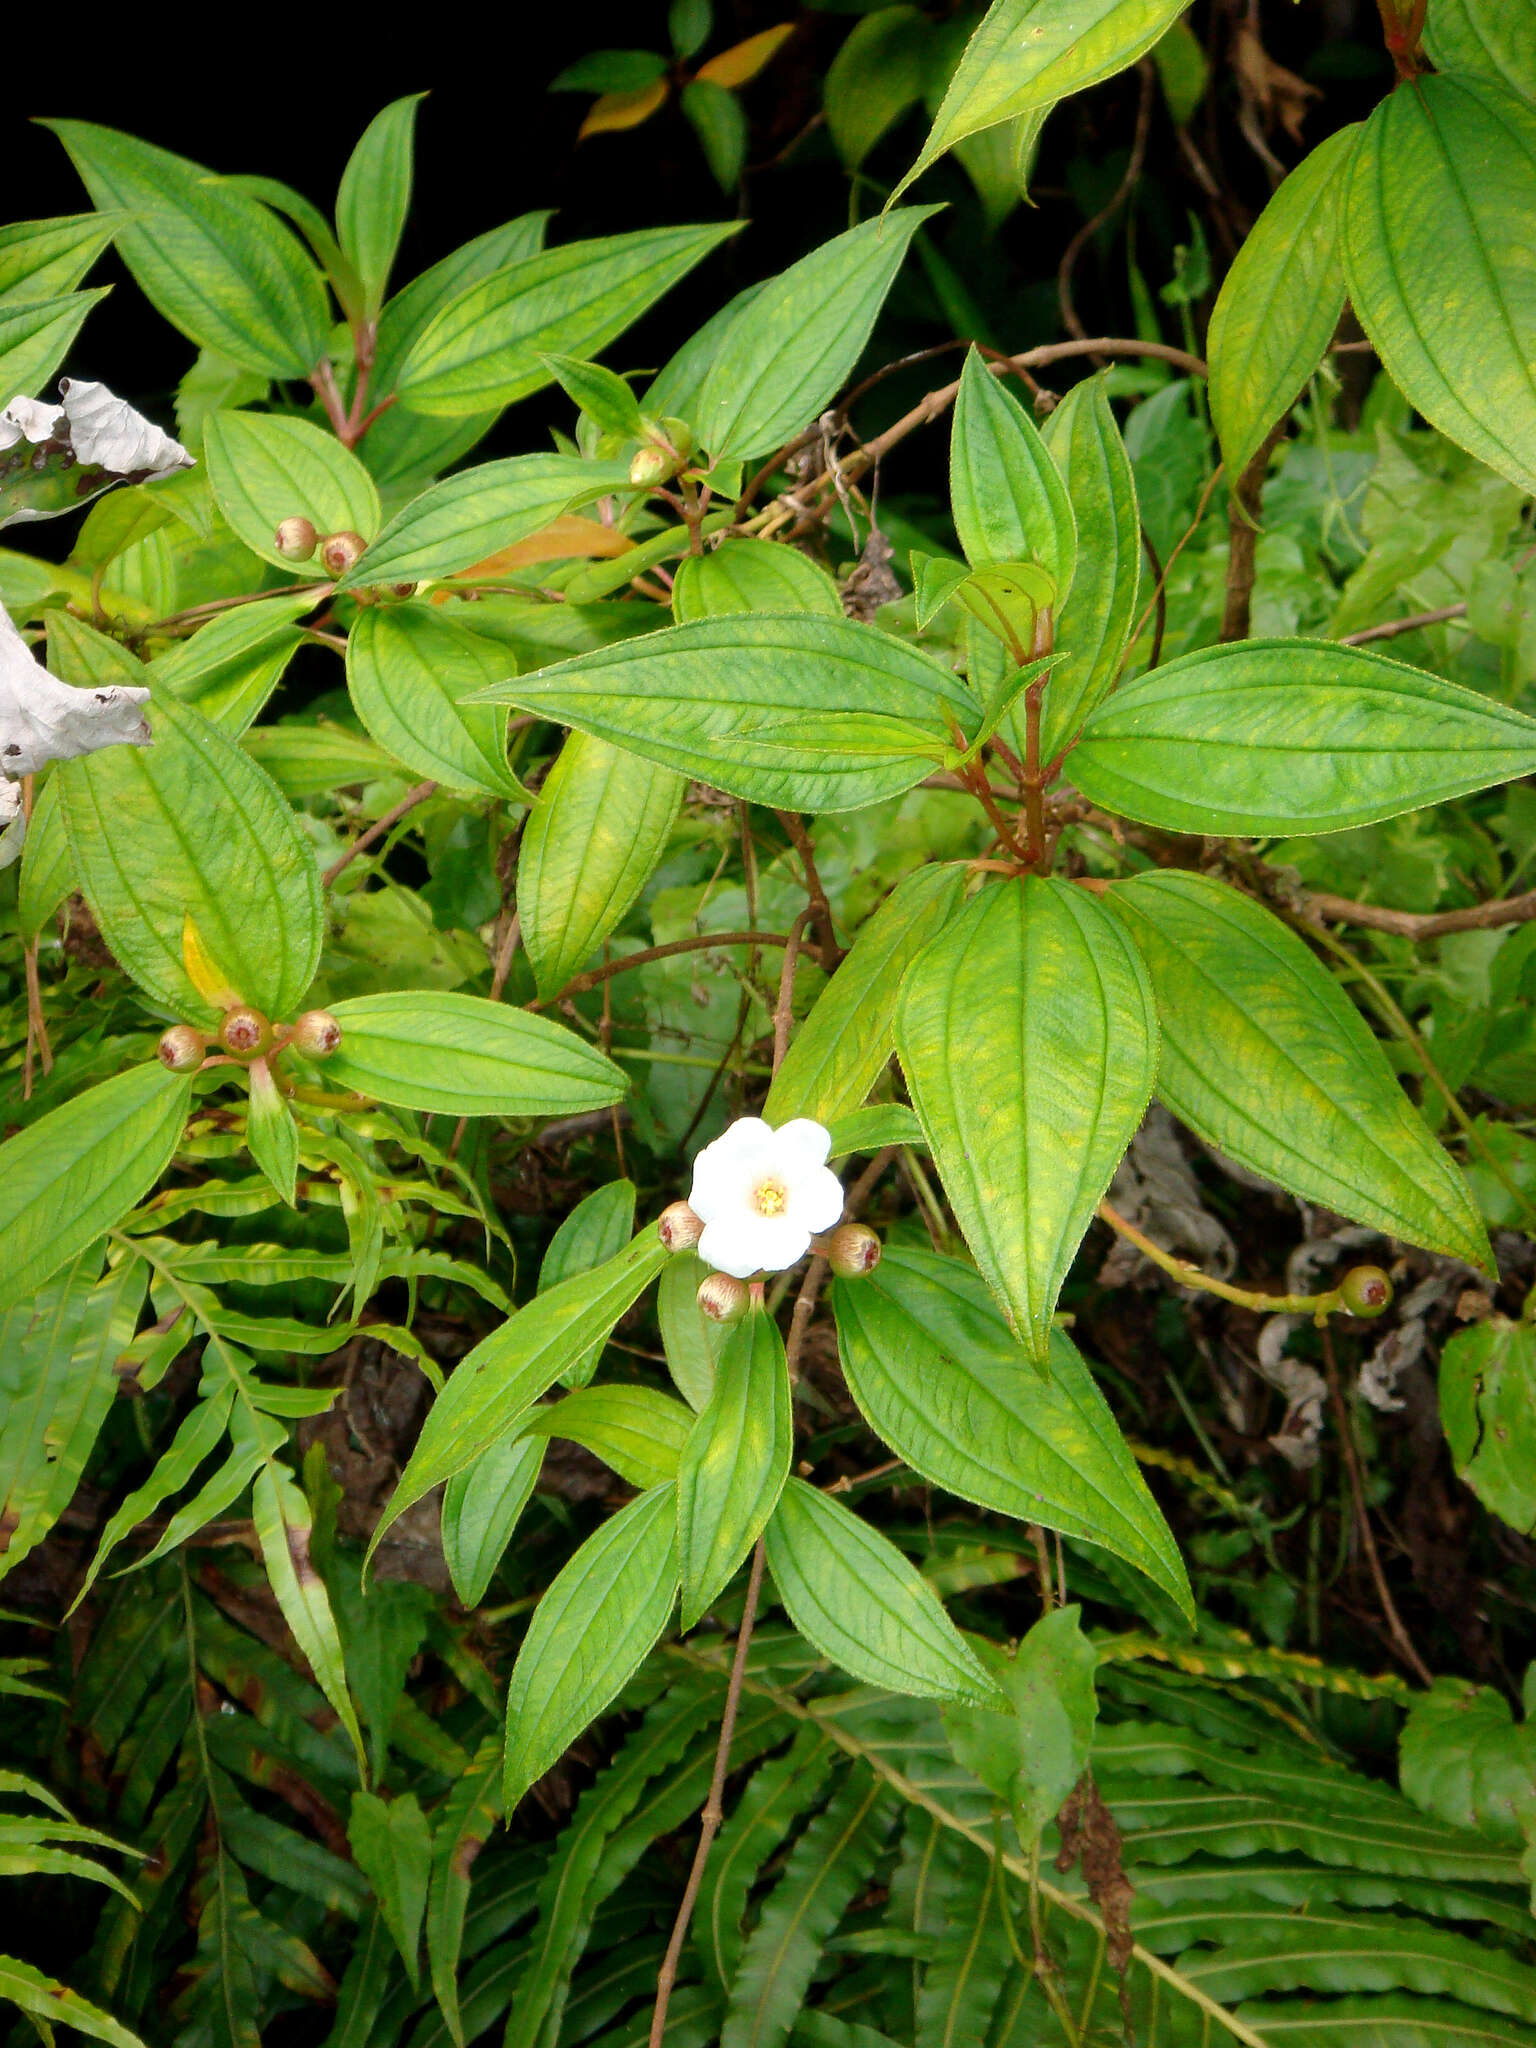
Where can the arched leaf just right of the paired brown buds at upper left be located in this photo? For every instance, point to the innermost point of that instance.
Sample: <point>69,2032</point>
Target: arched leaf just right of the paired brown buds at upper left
<point>468,517</point>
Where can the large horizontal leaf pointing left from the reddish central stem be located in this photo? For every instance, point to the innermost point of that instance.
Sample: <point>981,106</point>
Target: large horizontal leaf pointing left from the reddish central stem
<point>798,712</point>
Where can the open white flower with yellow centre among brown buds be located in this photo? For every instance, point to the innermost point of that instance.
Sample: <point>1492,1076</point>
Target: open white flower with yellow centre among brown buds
<point>763,1195</point>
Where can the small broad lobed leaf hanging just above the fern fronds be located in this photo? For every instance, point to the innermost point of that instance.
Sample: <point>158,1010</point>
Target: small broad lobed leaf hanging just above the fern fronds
<point>1033,1756</point>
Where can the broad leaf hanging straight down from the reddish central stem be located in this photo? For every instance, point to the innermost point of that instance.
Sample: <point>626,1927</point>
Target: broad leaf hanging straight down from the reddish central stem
<point>1029,1041</point>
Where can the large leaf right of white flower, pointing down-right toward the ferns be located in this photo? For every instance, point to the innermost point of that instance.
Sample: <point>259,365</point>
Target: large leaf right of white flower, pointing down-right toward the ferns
<point>941,1379</point>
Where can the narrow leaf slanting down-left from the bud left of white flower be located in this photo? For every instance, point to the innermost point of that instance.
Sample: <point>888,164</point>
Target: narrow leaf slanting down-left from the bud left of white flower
<point>519,1363</point>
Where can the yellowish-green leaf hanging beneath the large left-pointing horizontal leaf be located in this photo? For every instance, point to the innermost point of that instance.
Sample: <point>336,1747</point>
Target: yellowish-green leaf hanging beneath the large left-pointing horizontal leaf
<point>599,828</point>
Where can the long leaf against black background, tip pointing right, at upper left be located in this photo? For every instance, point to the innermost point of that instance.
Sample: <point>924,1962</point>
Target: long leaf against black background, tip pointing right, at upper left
<point>486,347</point>
